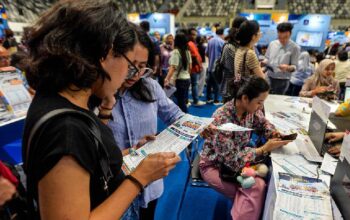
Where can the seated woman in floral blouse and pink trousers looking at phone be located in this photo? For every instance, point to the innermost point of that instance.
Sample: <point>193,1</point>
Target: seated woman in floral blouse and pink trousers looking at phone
<point>233,150</point>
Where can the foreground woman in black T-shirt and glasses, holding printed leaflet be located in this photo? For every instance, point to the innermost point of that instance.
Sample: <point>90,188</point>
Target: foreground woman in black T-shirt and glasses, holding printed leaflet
<point>80,48</point>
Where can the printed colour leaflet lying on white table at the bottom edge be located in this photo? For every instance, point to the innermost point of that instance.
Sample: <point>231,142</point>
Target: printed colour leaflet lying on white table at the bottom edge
<point>300,197</point>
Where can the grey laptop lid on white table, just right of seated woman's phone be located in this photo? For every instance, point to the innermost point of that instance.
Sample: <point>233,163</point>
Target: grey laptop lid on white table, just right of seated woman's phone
<point>317,131</point>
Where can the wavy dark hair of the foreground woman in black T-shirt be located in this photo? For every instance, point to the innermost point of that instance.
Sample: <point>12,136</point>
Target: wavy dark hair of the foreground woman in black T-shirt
<point>69,41</point>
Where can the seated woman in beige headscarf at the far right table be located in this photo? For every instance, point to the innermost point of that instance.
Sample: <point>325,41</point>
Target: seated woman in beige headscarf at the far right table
<point>321,81</point>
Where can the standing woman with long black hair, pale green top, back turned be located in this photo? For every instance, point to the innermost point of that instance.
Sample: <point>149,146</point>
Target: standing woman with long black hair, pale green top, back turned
<point>179,71</point>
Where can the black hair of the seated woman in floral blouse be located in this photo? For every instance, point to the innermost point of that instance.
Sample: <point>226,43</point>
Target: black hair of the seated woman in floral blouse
<point>252,88</point>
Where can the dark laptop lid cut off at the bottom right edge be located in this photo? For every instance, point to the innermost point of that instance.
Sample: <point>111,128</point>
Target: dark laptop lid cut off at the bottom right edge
<point>340,188</point>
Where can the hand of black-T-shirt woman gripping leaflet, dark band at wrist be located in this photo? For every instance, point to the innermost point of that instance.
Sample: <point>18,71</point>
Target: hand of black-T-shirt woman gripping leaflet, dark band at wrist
<point>155,166</point>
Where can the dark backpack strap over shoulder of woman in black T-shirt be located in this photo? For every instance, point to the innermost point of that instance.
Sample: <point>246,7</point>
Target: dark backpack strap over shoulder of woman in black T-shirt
<point>94,130</point>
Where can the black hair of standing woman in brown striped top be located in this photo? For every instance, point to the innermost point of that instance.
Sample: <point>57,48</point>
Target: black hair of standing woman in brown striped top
<point>246,32</point>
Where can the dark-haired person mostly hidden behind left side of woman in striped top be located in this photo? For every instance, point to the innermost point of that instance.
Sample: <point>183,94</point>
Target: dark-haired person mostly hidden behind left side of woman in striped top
<point>228,58</point>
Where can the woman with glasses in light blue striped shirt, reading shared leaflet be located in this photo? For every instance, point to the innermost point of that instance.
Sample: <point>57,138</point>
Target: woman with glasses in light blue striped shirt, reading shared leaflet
<point>140,101</point>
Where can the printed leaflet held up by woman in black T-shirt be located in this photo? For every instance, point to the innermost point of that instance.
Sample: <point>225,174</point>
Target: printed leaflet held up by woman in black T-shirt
<point>175,138</point>
